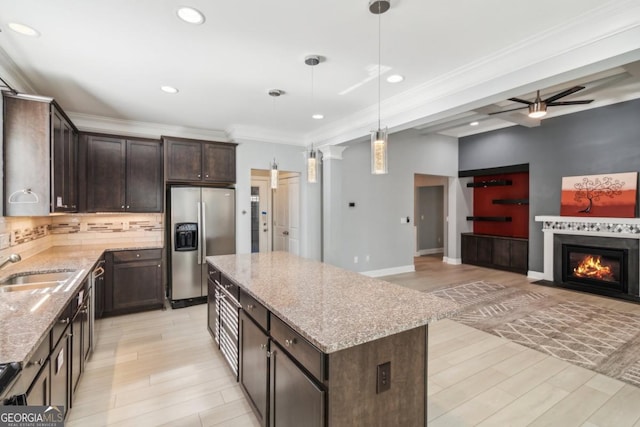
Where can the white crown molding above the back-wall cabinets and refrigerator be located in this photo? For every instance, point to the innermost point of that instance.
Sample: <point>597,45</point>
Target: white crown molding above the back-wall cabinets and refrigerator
<point>92,123</point>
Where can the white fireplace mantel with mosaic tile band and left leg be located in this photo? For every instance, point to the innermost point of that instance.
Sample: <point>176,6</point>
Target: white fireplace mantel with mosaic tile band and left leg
<point>622,228</point>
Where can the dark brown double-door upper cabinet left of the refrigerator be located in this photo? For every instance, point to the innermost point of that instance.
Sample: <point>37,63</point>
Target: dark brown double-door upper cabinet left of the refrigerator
<point>122,174</point>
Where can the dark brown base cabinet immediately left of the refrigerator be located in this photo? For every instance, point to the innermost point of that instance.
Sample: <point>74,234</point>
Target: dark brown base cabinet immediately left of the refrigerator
<point>133,281</point>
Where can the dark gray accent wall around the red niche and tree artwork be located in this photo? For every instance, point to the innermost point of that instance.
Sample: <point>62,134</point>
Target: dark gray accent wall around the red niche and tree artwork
<point>601,140</point>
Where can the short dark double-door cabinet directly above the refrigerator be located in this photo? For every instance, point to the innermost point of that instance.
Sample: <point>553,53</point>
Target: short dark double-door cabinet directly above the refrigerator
<point>190,160</point>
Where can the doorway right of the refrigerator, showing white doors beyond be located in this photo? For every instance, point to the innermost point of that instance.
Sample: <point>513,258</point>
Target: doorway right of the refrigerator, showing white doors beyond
<point>275,214</point>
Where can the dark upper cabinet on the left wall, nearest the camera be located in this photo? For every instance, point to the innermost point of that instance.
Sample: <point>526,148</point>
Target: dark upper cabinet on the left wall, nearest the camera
<point>39,157</point>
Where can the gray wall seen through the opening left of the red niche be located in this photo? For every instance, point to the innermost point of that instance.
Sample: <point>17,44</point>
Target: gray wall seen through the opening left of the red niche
<point>430,217</point>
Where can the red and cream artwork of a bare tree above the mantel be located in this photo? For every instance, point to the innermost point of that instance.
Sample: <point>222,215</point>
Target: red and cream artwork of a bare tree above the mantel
<point>611,195</point>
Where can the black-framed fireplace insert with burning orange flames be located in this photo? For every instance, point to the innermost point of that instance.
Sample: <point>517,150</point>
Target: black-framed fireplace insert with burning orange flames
<point>596,267</point>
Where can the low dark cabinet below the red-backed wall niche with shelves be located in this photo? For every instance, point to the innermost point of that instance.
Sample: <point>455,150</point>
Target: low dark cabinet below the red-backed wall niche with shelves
<point>505,253</point>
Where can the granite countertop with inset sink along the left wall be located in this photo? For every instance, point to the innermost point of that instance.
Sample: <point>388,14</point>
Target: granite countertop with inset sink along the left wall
<point>27,316</point>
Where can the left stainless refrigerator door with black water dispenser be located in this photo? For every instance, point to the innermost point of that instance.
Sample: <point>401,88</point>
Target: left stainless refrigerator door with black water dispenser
<point>186,271</point>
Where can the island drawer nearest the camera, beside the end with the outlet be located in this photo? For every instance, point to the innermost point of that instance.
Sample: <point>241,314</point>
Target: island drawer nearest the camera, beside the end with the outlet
<point>295,344</point>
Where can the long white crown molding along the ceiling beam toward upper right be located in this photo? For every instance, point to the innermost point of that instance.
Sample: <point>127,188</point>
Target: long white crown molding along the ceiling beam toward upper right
<point>591,42</point>
